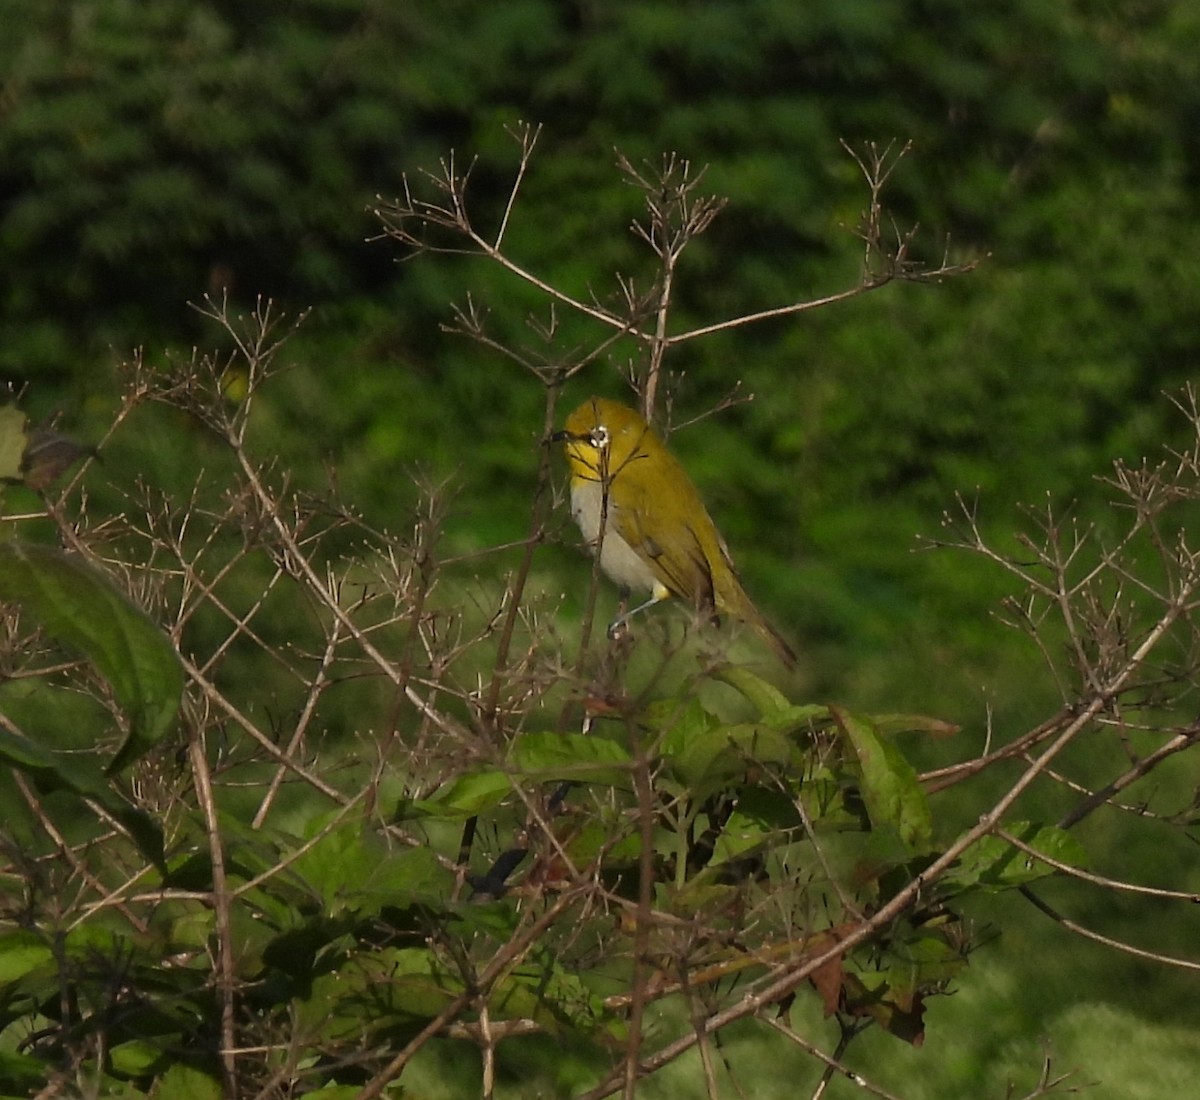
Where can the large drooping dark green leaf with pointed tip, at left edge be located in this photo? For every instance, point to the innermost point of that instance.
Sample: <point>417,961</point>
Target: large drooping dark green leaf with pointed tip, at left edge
<point>82,609</point>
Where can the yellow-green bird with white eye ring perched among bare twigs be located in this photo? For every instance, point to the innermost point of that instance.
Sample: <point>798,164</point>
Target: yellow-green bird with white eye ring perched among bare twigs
<point>633,500</point>
